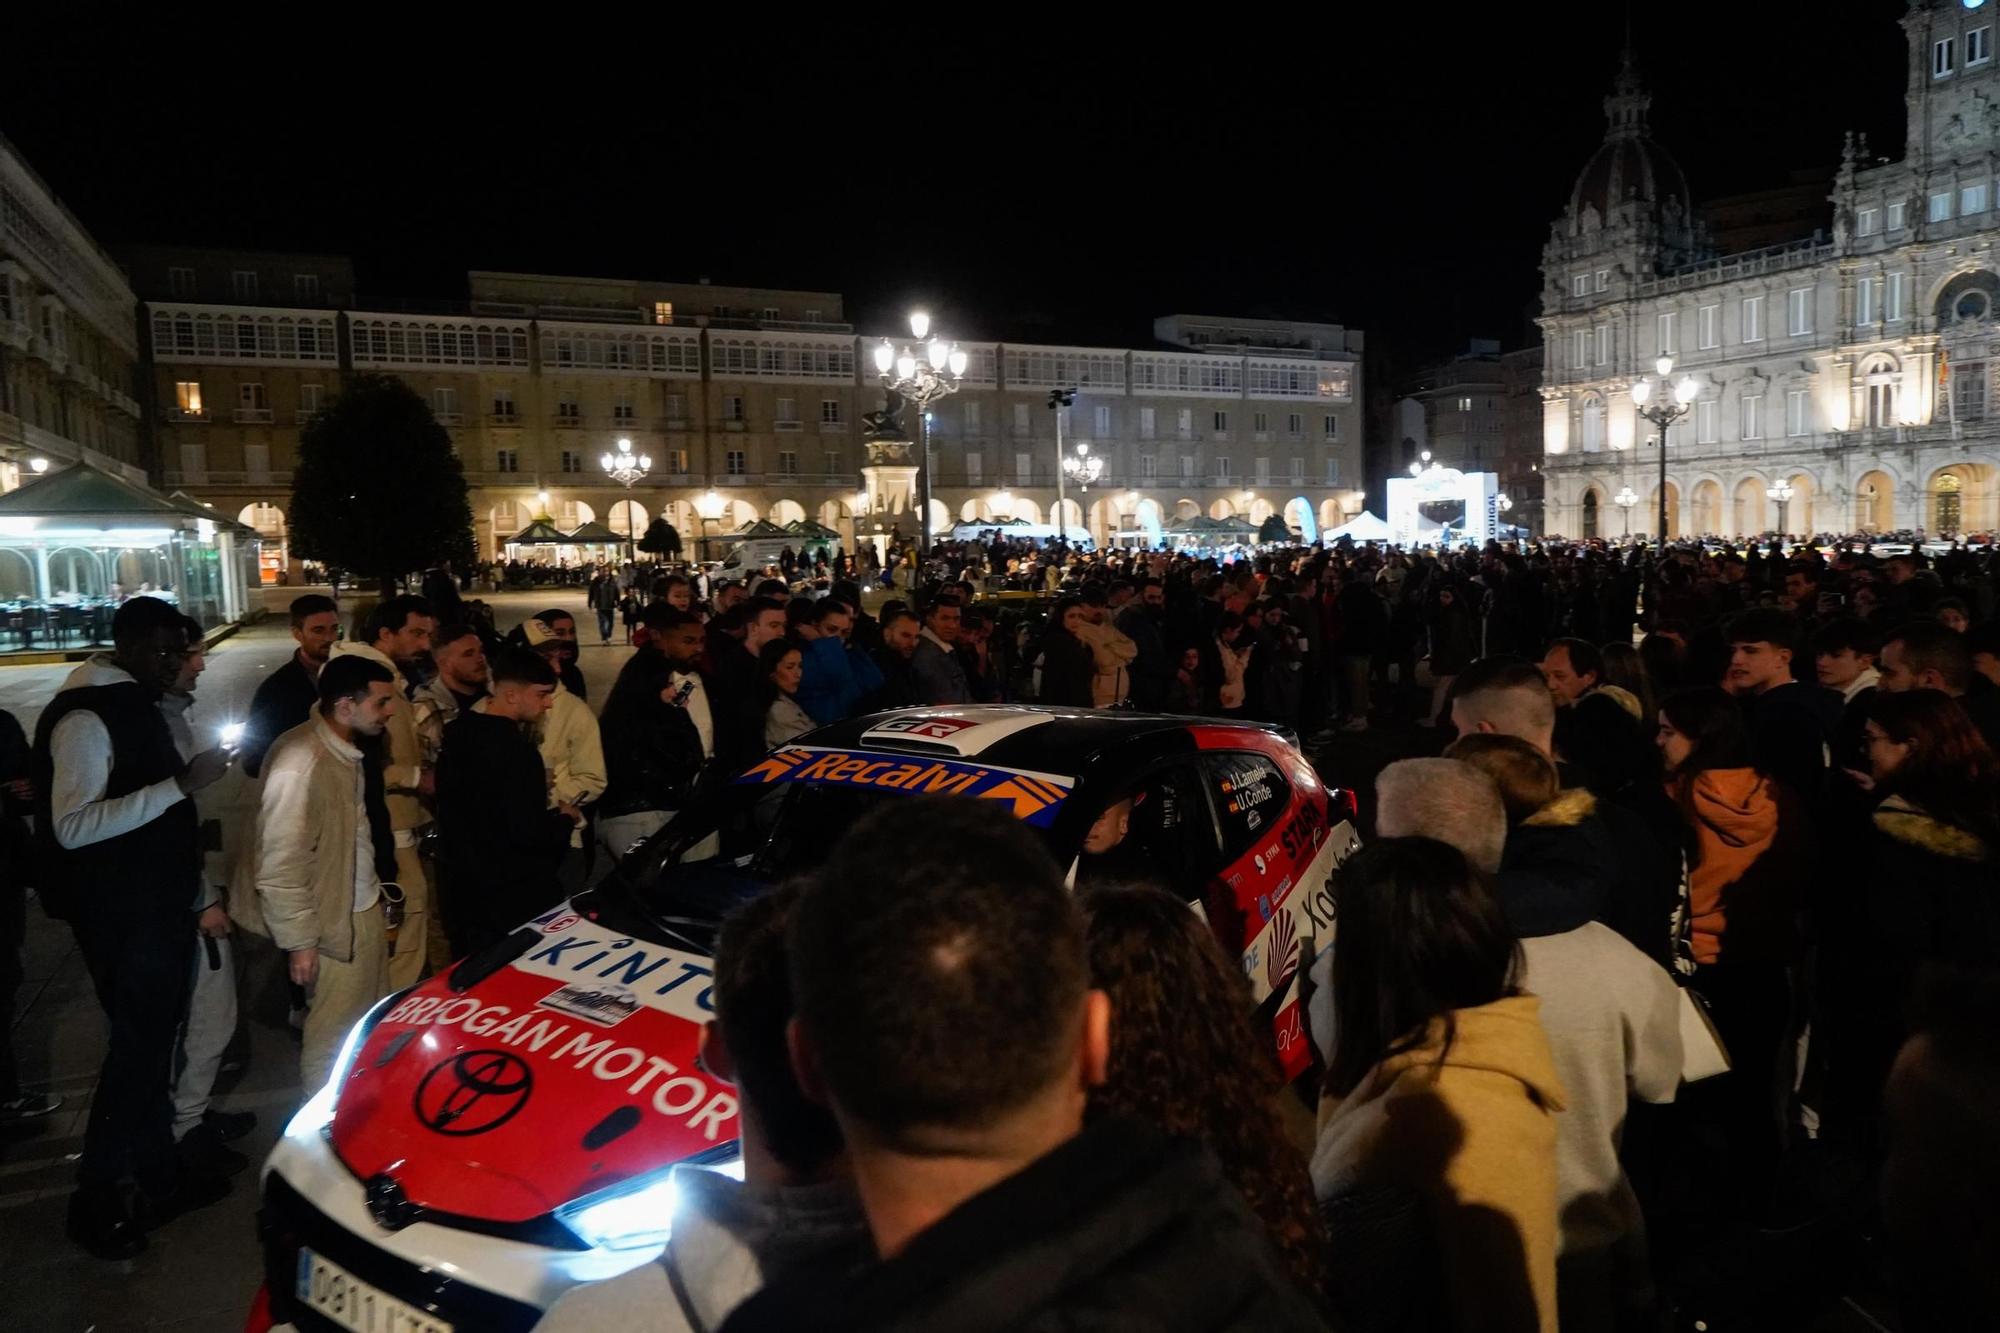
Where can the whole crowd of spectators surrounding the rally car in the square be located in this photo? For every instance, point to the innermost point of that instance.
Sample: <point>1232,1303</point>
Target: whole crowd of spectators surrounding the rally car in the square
<point>1685,944</point>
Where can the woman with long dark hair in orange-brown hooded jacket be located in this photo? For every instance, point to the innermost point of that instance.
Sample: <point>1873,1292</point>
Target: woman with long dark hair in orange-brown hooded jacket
<point>1747,866</point>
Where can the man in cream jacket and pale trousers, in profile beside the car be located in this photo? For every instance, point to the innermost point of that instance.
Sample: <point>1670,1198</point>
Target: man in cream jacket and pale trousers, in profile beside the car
<point>315,860</point>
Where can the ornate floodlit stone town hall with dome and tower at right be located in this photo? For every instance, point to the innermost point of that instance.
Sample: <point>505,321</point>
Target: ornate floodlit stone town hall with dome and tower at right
<point>1855,365</point>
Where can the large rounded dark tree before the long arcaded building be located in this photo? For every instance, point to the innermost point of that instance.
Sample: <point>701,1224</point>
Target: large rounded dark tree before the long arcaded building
<point>379,491</point>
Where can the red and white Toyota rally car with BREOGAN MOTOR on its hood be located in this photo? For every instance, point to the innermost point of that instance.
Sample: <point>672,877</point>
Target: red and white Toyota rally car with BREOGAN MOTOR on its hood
<point>507,1130</point>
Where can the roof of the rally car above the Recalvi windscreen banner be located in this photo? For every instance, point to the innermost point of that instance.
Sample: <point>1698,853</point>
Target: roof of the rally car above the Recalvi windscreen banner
<point>1043,740</point>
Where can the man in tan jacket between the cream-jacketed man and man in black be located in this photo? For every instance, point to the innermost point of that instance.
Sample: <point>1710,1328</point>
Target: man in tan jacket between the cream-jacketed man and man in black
<point>395,635</point>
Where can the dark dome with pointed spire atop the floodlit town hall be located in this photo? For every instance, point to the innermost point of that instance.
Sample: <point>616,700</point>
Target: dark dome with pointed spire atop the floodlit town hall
<point>1629,211</point>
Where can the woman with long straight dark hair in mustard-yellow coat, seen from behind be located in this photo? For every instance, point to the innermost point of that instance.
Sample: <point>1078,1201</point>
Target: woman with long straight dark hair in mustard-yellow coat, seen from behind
<point>1441,1080</point>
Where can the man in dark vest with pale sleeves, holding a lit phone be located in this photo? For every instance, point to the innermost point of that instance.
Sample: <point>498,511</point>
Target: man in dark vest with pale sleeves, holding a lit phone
<point>121,856</point>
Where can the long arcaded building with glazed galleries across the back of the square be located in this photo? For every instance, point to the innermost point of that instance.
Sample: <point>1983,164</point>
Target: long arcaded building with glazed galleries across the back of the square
<point>749,395</point>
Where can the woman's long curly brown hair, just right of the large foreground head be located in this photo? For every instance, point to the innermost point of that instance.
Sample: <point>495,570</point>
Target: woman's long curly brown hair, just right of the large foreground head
<point>1191,1060</point>
